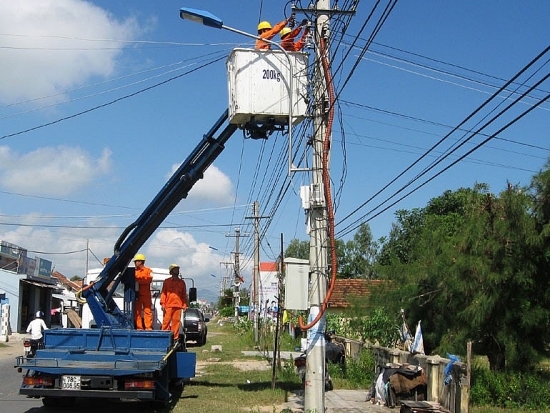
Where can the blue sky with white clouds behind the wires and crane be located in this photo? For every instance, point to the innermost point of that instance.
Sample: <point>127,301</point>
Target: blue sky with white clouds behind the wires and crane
<point>101,101</point>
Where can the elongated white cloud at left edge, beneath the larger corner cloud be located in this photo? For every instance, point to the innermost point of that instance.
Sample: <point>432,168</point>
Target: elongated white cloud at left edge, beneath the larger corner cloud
<point>53,171</point>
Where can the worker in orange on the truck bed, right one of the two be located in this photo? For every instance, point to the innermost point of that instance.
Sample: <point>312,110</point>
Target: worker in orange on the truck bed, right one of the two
<point>173,300</point>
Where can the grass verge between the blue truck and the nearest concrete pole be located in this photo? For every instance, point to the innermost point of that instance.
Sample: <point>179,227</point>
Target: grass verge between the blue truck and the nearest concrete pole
<point>221,387</point>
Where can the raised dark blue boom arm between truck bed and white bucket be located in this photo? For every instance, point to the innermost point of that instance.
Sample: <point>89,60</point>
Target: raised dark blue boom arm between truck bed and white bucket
<point>99,294</point>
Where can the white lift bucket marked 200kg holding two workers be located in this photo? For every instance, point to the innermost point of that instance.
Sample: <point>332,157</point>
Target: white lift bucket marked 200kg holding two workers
<point>259,85</point>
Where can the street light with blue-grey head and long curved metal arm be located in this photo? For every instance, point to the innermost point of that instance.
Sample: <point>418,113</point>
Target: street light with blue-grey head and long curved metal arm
<point>208,19</point>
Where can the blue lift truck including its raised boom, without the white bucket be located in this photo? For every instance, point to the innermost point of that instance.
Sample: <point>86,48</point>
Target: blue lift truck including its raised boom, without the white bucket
<point>115,360</point>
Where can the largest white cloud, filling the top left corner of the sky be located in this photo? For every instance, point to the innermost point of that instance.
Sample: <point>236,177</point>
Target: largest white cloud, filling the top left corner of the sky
<point>51,46</point>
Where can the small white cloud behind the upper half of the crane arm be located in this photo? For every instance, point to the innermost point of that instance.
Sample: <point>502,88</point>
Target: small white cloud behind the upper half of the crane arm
<point>215,187</point>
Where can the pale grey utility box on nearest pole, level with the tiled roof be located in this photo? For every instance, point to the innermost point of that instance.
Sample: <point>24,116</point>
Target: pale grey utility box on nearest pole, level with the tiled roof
<point>296,284</point>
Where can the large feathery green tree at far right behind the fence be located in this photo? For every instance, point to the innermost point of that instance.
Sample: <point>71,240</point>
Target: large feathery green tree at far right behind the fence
<point>473,273</point>
